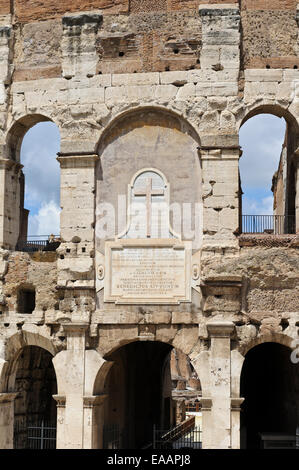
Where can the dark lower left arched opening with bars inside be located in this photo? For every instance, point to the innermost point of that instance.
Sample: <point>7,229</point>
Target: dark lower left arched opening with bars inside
<point>34,406</point>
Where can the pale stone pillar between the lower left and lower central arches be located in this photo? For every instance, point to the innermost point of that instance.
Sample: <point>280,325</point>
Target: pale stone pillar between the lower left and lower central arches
<point>80,412</point>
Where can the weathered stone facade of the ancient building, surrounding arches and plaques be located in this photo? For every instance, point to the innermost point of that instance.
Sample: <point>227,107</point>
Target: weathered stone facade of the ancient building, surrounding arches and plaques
<point>163,84</point>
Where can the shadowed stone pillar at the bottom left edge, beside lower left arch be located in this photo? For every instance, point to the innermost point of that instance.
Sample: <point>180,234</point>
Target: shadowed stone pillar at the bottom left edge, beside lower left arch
<point>7,420</point>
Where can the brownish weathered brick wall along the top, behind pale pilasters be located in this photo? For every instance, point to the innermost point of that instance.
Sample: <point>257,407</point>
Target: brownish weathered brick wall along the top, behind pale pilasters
<point>146,36</point>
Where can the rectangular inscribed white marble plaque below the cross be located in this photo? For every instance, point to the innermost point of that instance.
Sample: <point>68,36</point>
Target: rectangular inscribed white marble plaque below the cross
<point>147,271</point>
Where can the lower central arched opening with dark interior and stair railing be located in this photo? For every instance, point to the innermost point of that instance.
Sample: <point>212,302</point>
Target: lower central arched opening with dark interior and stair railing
<point>144,398</point>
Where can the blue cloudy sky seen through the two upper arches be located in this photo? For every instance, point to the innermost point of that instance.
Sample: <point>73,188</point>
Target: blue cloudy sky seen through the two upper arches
<point>261,139</point>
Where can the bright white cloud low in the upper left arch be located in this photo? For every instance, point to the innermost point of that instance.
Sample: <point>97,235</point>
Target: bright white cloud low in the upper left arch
<point>46,221</point>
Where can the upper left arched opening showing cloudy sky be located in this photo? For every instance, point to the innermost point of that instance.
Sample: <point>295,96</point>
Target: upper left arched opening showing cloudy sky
<point>34,142</point>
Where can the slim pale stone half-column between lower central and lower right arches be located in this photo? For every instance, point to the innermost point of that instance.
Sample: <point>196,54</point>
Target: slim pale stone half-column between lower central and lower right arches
<point>220,385</point>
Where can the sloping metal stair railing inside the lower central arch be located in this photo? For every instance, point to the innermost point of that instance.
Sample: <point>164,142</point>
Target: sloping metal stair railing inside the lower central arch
<point>184,436</point>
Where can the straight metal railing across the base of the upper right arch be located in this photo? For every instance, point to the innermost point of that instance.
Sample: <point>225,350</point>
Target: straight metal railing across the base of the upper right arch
<point>271,224</point>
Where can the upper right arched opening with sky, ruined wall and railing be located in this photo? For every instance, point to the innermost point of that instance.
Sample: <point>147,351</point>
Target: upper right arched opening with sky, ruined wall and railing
<point>267,194</point>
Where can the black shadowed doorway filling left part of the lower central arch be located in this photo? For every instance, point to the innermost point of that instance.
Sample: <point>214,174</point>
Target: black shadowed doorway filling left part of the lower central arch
<point>139,391</point>
